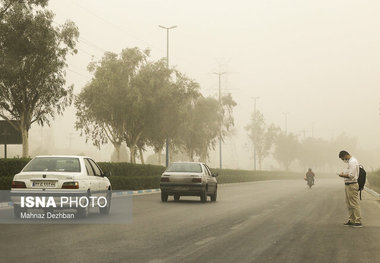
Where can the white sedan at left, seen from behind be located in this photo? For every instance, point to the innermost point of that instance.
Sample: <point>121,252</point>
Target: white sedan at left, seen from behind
<point>61,175</point>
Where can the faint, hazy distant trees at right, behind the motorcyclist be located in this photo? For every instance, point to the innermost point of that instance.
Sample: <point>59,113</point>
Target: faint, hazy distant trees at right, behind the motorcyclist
<point>291,149</point>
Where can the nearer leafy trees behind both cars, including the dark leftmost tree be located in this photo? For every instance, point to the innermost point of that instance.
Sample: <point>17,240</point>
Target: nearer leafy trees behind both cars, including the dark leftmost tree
<point>130,99</point>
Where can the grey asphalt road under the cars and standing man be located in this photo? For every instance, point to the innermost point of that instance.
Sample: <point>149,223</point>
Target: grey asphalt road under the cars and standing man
<point>272,221</point>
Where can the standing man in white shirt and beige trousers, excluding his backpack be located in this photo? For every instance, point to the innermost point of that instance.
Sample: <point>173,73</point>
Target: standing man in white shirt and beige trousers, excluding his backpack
<point>351,188</point>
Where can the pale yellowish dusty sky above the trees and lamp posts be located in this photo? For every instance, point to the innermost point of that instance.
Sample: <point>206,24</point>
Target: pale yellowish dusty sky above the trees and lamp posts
<point>317,60</point>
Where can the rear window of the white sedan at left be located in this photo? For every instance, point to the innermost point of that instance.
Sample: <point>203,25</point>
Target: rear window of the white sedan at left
<point>56,164</point>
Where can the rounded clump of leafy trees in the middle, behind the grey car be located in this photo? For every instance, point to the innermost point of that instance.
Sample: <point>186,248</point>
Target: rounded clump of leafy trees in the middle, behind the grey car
<point>141,102</point>
